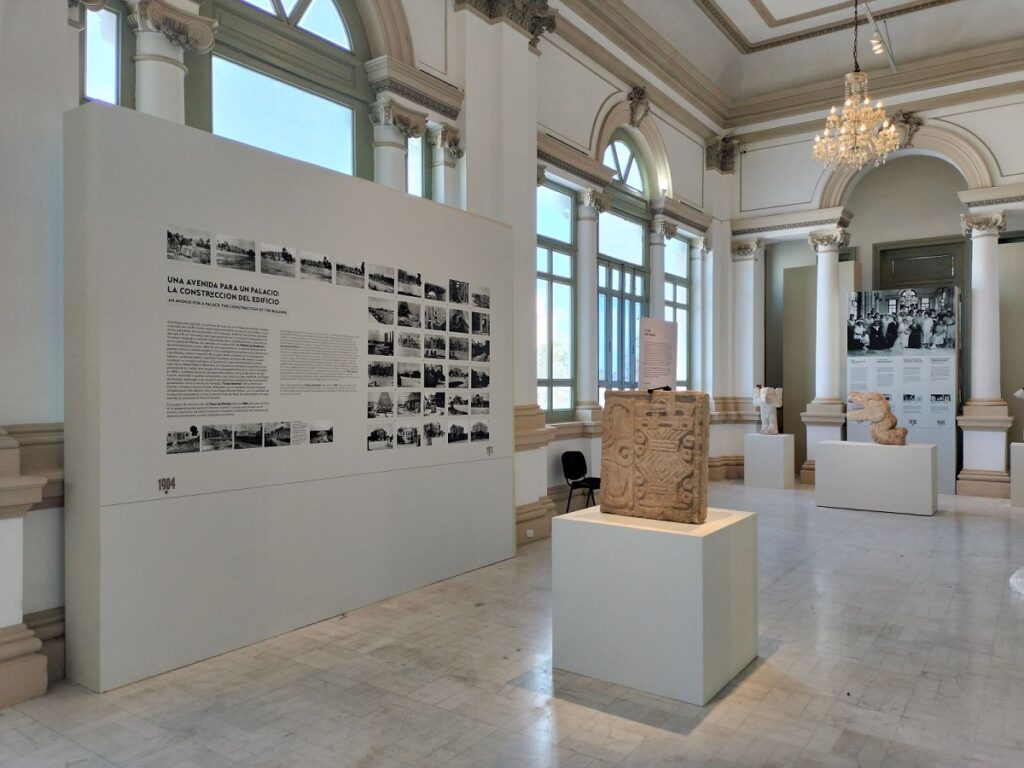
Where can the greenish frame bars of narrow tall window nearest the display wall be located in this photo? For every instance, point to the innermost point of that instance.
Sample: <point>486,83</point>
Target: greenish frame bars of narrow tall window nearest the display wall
<point>571,249</point>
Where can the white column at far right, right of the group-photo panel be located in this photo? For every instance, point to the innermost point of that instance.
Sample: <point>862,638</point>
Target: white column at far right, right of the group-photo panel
<point>987,420</point>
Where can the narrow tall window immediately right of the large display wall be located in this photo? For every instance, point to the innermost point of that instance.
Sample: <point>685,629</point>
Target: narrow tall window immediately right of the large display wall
<point>556,286</point>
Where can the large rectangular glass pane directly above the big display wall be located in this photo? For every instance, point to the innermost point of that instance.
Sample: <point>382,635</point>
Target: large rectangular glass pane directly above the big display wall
<point>258,110</point>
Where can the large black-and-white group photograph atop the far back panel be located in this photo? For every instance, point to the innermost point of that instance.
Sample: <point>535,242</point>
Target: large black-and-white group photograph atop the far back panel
<point>912,321</point>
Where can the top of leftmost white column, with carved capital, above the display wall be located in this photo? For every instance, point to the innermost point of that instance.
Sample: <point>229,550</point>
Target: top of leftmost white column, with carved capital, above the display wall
<point>164,31</point>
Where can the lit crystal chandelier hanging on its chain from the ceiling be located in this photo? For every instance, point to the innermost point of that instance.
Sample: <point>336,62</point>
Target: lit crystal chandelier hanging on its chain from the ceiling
<point>860,134</point>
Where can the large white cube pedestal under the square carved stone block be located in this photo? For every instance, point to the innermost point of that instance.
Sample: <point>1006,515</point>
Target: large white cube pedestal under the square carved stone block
<point>664,608</point>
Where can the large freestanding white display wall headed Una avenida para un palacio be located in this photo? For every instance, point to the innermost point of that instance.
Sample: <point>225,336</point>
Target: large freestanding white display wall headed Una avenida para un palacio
<point>288,395</point>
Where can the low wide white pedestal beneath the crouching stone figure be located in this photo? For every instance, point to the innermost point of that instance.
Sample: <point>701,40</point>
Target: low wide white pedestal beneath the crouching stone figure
<point>880,479</point>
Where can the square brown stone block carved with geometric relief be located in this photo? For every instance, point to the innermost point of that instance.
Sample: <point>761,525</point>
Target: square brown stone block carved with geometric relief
<point>655,455</point>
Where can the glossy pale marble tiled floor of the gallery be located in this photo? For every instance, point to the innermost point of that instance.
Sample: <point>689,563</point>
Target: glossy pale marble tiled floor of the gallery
<point>885,641</point>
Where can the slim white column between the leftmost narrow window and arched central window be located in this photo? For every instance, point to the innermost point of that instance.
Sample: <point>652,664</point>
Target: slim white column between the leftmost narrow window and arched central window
<point>591,204</point>
